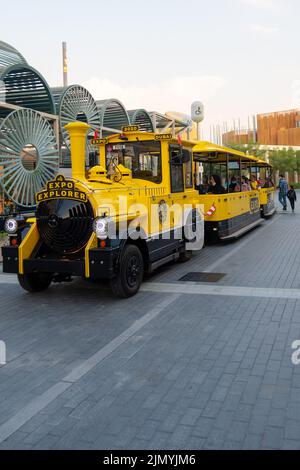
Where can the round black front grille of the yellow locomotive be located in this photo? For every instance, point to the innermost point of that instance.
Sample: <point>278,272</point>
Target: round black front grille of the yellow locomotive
<point>65,226</point>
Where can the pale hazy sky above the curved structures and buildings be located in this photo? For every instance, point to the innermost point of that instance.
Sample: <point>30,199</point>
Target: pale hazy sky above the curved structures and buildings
<point>239,57</point>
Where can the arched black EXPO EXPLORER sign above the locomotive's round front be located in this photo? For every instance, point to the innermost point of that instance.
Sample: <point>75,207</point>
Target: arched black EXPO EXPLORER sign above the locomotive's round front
<point>61,188</point>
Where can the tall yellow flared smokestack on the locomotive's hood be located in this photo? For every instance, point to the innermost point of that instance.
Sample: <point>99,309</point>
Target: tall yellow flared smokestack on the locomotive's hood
<point>78,132</point>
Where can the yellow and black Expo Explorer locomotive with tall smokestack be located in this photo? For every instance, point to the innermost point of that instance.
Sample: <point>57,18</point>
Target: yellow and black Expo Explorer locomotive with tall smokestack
<point>110,223</point>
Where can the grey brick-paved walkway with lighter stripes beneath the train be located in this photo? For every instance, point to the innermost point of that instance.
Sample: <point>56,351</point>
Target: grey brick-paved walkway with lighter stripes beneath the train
<point>182,365</point>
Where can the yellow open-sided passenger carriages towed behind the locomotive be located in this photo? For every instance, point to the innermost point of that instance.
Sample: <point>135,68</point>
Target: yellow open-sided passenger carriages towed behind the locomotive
<point>238,210</point>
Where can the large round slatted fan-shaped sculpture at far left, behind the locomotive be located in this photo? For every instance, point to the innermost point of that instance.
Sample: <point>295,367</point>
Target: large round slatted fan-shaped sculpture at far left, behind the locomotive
<point>28,155</point>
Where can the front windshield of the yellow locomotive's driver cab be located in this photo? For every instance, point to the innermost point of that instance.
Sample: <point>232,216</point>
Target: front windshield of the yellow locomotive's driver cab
<point>142,158</point>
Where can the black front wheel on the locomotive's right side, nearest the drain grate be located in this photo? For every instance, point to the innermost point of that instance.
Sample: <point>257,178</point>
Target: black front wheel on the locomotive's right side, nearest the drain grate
<point>128,281</point>
